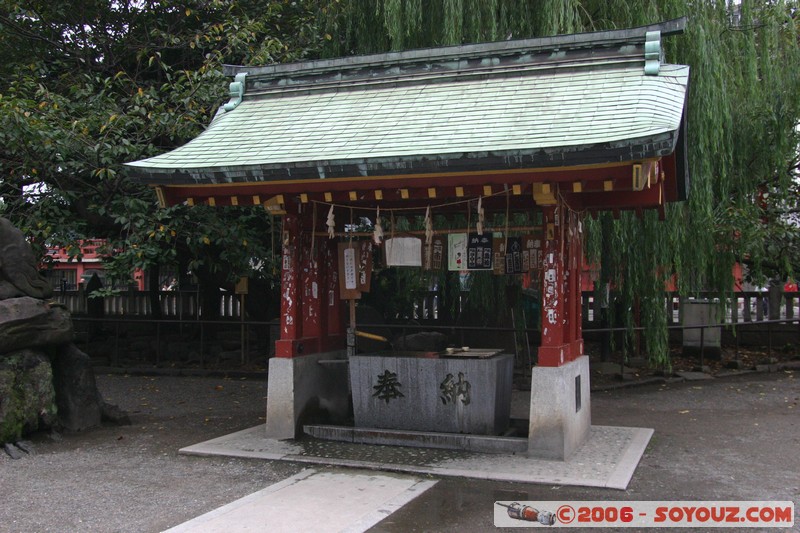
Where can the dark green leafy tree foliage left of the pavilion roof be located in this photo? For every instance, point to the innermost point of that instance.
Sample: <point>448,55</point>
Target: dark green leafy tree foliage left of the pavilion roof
<point>89,85</point>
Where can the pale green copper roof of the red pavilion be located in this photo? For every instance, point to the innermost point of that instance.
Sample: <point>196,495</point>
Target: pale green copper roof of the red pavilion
<point>521,109</point>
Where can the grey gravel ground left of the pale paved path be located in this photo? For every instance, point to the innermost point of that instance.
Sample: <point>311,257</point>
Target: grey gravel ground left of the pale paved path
<point>131,478</point>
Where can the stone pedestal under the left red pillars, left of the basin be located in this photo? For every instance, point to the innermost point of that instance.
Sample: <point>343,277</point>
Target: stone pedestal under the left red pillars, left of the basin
<point>310,388</point>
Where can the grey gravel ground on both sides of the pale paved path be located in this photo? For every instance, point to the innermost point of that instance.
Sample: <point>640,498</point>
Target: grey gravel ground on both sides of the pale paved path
<point>732,438</point>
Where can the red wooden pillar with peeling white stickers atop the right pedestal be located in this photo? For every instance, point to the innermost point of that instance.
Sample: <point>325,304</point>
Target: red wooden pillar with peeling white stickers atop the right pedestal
<point>557,307</point>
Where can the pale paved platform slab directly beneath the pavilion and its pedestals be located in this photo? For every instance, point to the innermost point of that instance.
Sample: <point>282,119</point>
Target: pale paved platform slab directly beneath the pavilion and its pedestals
<point>607,459</point>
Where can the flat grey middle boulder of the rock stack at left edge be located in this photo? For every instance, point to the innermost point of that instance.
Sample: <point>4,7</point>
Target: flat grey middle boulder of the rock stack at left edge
<point>30,323</point>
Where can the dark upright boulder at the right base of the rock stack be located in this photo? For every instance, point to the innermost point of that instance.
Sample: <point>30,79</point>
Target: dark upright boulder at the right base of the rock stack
<point>76,389</point>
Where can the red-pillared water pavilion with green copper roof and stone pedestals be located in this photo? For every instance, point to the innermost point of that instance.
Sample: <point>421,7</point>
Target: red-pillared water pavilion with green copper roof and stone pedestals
<point>566,126</point>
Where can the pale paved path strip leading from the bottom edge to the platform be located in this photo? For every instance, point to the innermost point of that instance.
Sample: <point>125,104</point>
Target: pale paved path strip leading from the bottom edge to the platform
<point>313,500</point>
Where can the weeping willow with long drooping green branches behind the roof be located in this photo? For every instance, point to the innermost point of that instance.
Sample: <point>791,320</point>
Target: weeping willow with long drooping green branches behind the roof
<point>742,115</point>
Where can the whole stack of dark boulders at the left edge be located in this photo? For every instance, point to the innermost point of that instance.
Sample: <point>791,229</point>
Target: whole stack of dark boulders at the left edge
<point>45,380</point>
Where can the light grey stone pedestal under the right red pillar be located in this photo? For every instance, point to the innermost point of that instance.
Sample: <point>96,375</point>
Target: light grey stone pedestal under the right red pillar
<point>560,414</point>
